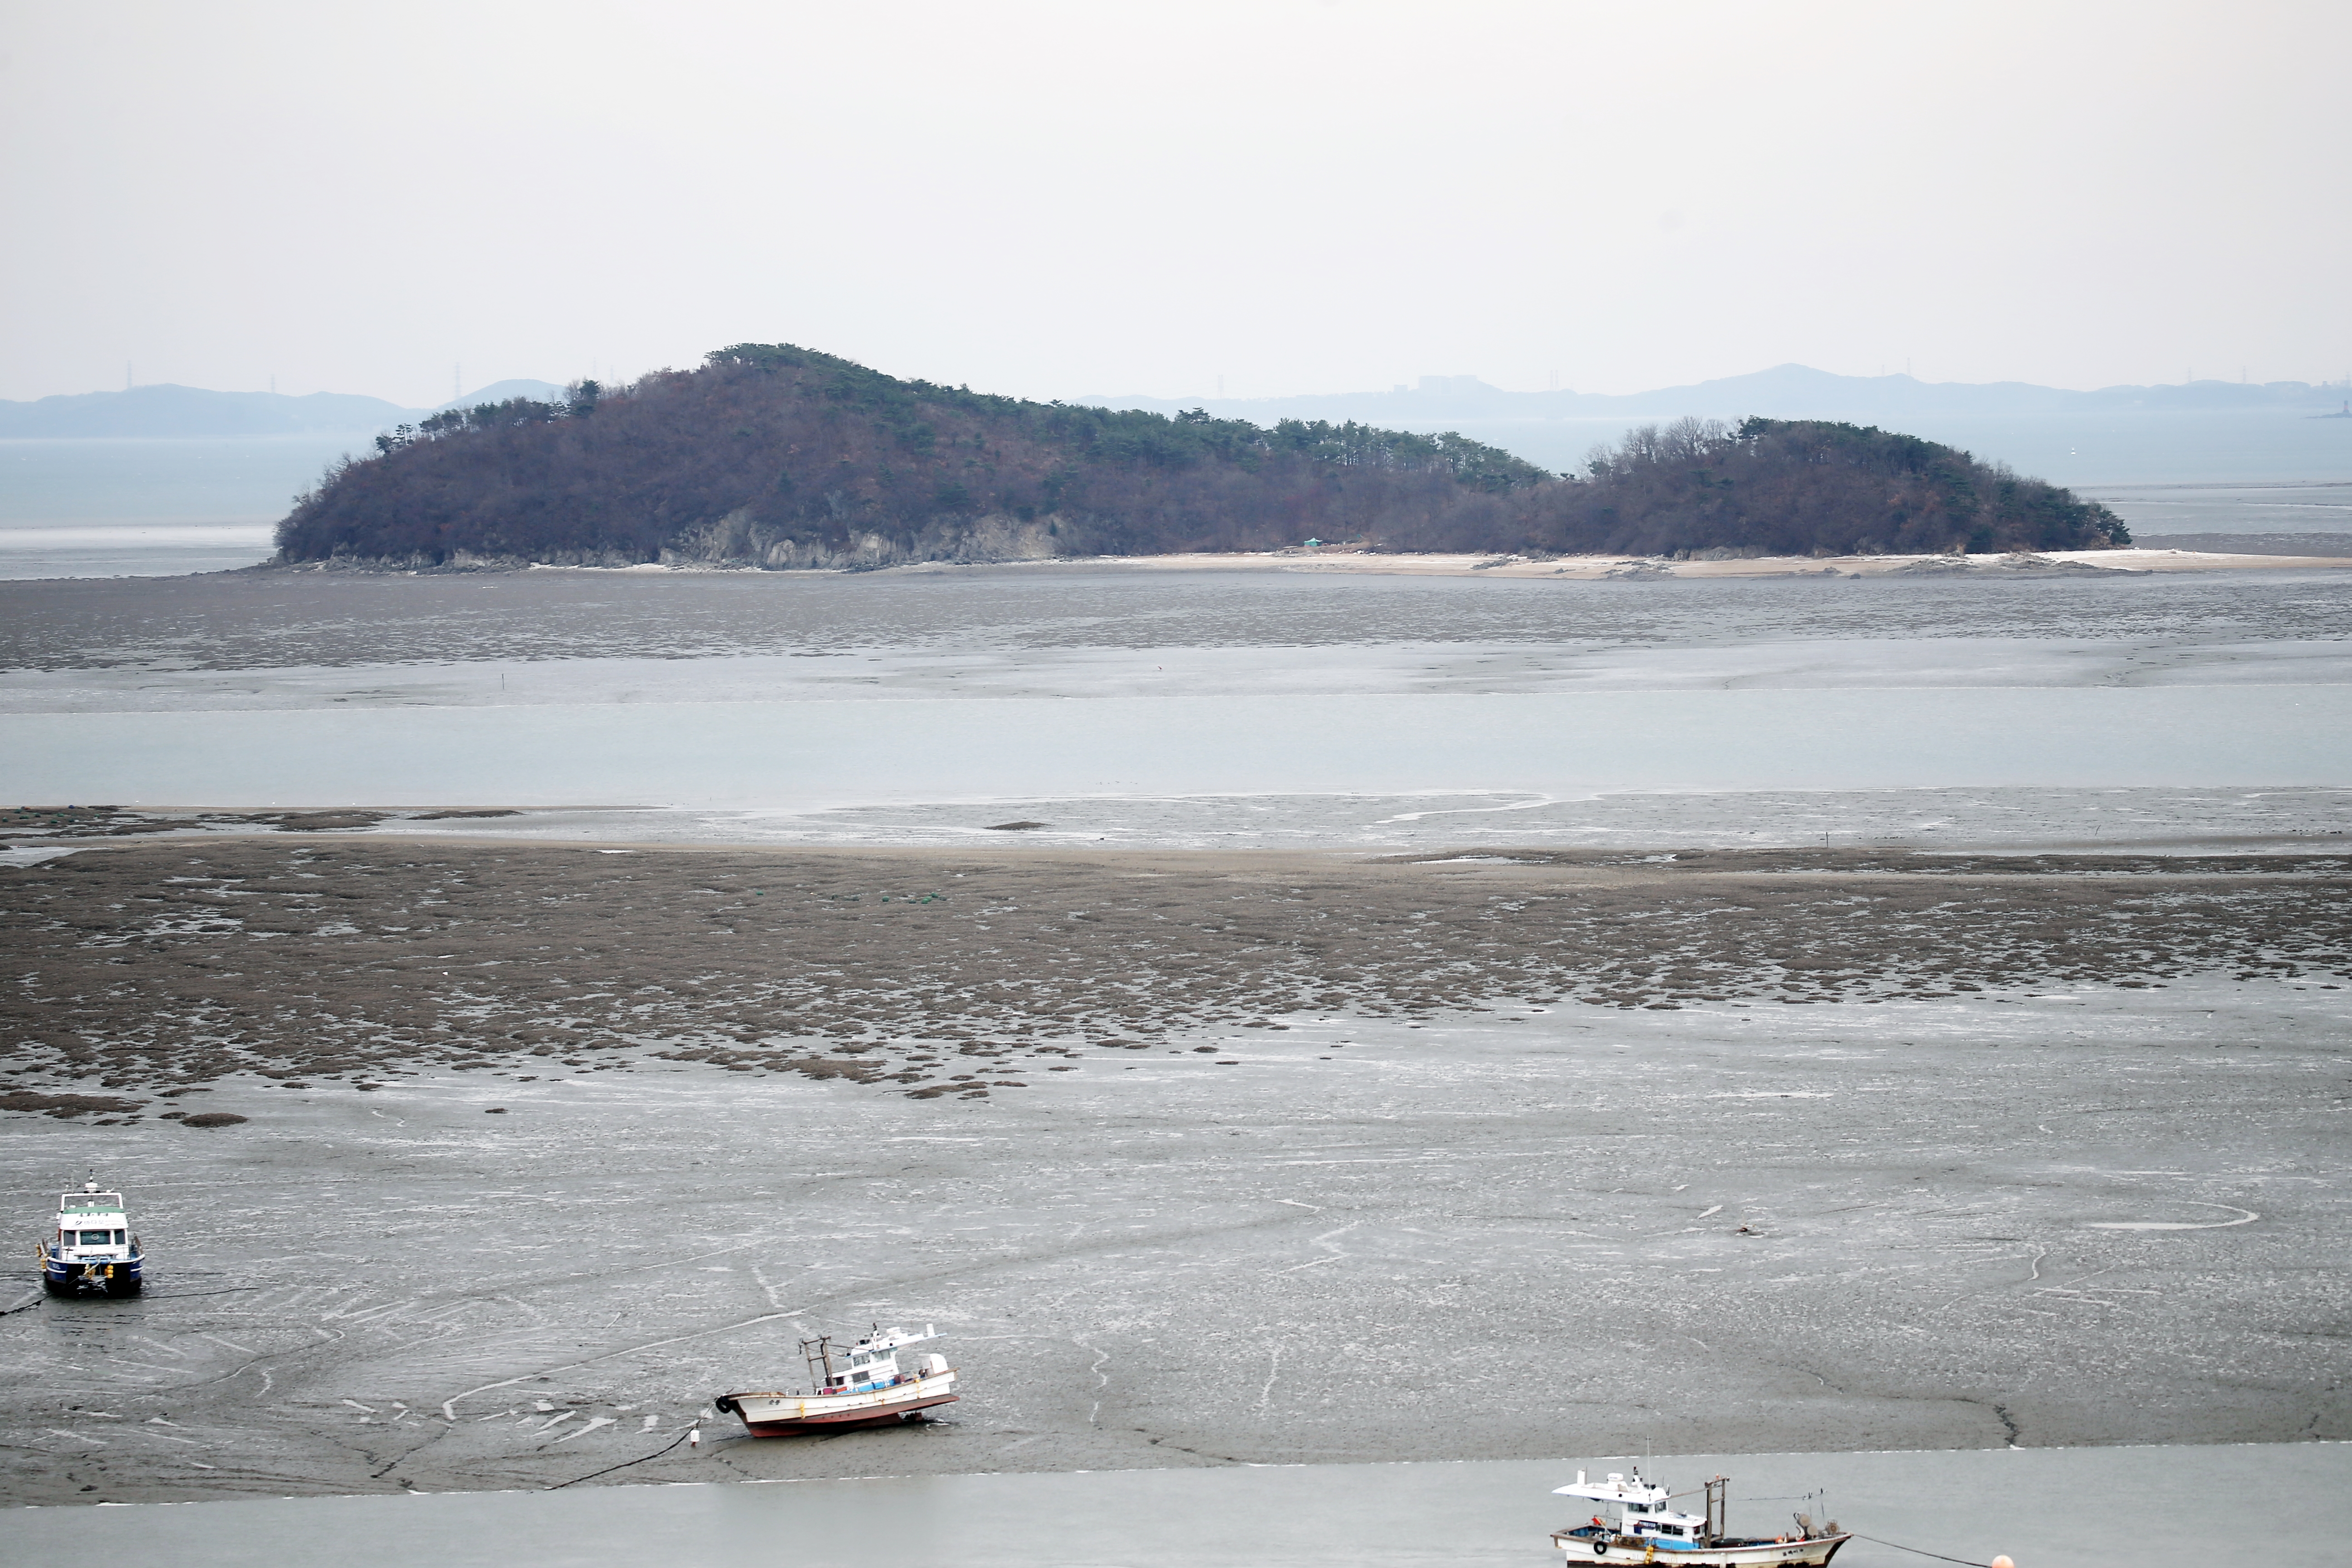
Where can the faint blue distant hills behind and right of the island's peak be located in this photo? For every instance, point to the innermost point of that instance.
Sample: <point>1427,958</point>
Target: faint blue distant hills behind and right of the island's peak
<point>1786,391</point>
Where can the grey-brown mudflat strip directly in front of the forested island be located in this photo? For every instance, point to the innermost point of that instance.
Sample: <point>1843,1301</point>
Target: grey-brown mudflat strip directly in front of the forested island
<point>307,619</point>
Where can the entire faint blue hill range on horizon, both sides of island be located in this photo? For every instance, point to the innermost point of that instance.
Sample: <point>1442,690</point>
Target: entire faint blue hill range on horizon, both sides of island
<point>1786,391</point>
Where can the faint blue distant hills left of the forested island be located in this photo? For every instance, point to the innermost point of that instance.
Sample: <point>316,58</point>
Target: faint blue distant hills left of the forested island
<point>196,413</point>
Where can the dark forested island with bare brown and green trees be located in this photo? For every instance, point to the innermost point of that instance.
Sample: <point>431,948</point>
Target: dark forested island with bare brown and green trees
<point>784,457</point>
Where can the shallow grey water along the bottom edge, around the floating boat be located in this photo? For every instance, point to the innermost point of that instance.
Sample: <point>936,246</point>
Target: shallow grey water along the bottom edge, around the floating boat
<point>2047,1508</point>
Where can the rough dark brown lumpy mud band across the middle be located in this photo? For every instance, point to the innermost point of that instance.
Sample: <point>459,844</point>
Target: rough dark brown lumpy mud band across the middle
<point>171,965</point>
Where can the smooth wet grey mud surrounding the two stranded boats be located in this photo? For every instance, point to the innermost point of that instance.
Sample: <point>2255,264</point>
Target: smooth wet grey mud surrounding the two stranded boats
<point>2080,1217</point>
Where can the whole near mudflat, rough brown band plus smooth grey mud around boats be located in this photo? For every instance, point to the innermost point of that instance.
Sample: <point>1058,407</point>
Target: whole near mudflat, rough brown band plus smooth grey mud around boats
<point>1196,1160</point>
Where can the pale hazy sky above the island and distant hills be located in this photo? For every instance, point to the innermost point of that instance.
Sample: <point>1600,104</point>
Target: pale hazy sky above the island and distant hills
<point>1142,199</point>
